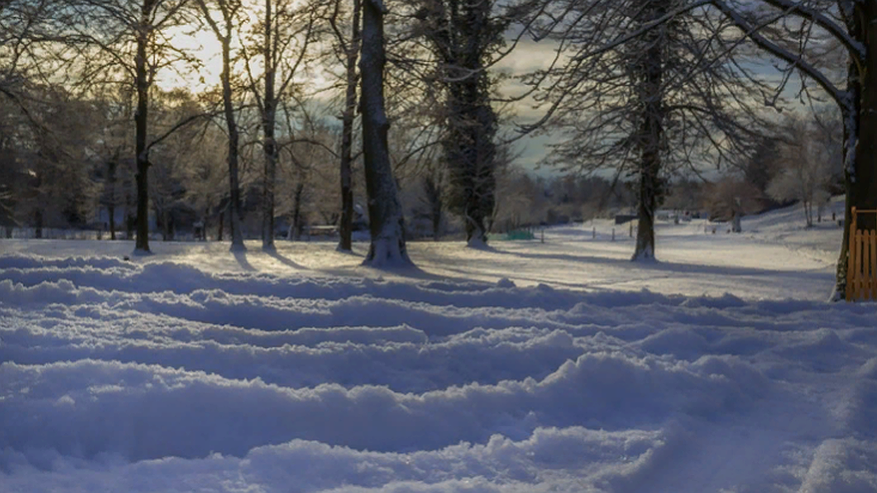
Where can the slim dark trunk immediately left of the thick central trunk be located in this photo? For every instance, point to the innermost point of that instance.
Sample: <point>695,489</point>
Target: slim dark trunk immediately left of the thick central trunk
<point>345,242</point>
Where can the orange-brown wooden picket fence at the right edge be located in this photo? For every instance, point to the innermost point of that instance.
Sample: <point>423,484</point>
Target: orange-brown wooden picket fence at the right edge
<point>862,267</point>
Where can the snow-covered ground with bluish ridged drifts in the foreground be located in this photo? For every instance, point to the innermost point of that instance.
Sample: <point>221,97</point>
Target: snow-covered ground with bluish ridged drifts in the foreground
<point>532,367</point>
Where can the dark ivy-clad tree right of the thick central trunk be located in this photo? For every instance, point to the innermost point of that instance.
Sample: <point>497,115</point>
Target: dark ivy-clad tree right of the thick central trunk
<point>465,37</point>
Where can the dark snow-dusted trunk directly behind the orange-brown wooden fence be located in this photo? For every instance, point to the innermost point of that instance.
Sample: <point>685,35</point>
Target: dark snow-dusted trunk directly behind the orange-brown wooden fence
<point>860,136</point>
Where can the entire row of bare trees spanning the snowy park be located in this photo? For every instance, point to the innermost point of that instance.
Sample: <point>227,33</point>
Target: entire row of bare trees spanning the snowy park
<point>649,89</point>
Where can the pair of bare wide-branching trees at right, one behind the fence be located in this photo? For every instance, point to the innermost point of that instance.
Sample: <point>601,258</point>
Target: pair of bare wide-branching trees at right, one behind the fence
<point>644,85</point>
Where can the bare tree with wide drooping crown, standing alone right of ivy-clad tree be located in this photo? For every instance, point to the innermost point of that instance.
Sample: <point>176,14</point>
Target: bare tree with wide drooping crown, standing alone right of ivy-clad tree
<point>647,88</point>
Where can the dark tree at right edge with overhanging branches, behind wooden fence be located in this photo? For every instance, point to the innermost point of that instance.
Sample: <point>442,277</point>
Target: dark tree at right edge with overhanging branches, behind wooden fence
<point>807,36</point>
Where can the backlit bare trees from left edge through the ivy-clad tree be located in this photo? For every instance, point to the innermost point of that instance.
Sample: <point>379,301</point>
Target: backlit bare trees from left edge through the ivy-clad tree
<point>87,120</point>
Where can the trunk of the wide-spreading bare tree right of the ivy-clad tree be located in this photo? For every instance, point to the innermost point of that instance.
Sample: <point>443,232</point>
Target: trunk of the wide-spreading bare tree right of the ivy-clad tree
<point>651,72</point>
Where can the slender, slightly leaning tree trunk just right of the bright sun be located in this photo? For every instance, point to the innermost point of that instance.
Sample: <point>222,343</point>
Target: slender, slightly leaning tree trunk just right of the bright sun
<point>237,236</point>
